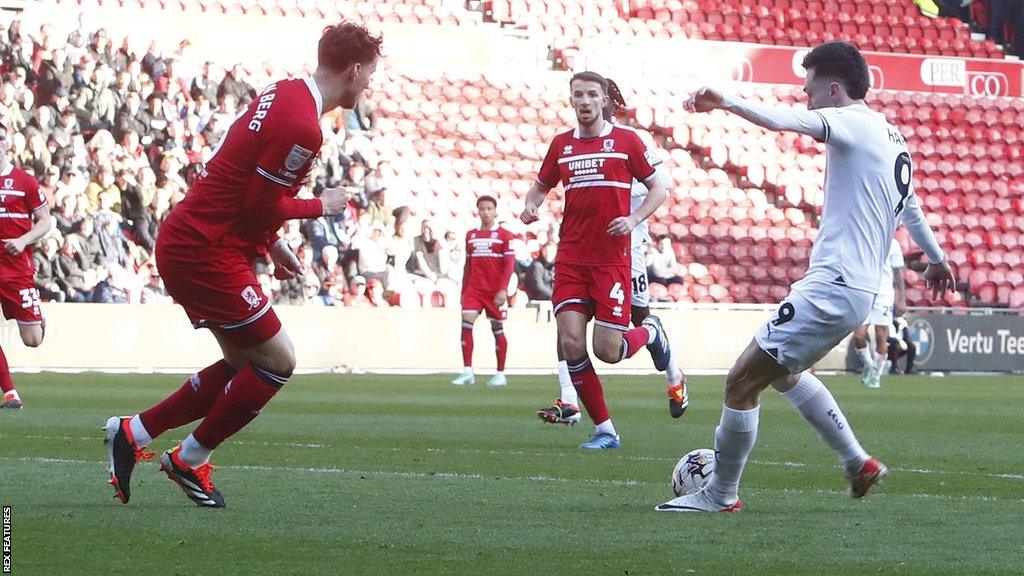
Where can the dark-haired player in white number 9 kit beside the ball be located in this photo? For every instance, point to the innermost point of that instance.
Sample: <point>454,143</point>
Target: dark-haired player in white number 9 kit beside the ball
<point>868,192</point>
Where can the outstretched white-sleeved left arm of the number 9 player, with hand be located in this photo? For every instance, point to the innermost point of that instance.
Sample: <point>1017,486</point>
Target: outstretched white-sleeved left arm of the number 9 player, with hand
<point>773,118</point>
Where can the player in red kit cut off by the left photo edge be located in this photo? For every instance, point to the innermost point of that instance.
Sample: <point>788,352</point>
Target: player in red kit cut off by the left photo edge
<point>25,218</point>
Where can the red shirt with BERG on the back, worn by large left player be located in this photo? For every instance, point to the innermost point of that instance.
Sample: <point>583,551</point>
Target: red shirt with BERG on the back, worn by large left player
<point>265,157</point>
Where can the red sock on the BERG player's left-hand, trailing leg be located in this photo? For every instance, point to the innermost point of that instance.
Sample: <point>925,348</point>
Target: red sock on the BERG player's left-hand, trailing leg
<point>191,402</point>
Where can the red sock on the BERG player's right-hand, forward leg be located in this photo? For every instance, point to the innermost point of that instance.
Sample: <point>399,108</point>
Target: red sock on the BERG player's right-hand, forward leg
<point>251,389</point>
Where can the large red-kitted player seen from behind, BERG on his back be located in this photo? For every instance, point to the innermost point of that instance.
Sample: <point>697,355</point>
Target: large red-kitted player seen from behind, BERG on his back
<point>205,253</point>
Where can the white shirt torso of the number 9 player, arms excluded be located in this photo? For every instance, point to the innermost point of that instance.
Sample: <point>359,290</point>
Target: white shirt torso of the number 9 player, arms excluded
<point>868,186</point>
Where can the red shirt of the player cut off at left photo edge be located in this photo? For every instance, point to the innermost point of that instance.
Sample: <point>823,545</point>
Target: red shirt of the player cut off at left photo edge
<point>20,197</point>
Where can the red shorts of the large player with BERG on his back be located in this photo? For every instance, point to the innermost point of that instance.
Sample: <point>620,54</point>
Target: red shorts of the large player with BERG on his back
<point>219,290</point>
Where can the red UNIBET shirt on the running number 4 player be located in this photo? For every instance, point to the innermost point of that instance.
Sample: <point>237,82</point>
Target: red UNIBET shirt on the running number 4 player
<point>598,175</point>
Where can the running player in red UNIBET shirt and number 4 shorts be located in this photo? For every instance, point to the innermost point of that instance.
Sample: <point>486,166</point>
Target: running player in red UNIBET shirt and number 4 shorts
<point>596,164</point>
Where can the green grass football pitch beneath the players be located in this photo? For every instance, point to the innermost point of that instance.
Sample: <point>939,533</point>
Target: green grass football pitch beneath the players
<point>410,476</point>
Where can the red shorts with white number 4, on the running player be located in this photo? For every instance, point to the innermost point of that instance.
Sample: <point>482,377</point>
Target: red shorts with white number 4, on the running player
<point>604,292</point>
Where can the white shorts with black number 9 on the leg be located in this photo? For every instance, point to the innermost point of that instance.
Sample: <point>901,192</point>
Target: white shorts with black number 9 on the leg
<point>817,316</point>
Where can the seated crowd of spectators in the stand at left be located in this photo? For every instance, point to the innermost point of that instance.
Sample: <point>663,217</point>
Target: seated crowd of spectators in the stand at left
<point>116,138</point>
